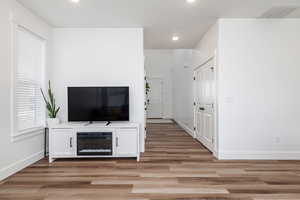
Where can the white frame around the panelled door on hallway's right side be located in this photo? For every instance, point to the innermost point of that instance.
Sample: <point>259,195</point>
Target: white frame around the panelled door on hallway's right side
<point>213,58</point>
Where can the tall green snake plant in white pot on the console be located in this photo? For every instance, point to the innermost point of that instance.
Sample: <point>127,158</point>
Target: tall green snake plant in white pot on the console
<point>51,107</point>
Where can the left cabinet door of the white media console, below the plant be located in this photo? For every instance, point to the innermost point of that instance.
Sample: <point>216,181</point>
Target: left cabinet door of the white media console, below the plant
<point>63,143</point>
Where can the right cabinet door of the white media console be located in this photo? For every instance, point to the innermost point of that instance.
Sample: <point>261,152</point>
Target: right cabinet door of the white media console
<point>126,142</point>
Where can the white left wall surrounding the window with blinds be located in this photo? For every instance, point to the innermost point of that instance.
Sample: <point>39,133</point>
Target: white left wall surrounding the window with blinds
<point>15,155</point>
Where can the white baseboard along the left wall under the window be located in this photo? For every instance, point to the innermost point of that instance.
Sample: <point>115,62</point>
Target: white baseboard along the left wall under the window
<point>19,165</point>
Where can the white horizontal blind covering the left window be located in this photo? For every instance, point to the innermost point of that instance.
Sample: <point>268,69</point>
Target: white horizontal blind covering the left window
<point>29,78</point>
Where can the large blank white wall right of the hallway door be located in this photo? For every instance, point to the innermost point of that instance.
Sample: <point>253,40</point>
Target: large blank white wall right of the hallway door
<point>259,88</point>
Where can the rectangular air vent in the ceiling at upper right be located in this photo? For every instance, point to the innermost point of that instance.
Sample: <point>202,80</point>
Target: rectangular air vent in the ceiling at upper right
<point>279,12</point>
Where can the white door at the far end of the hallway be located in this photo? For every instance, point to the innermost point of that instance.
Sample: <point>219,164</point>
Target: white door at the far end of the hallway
<point>155,99</point>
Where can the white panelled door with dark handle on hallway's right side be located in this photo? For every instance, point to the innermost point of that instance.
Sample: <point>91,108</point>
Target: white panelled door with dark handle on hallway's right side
<point>204,104</point>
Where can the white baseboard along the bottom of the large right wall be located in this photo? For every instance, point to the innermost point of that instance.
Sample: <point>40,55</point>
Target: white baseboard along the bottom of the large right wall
<point>259,155</point>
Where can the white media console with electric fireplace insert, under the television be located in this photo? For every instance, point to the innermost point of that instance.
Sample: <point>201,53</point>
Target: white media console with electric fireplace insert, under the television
<point>80,140</point>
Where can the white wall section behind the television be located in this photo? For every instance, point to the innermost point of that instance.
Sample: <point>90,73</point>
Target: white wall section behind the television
<point>100,57</point>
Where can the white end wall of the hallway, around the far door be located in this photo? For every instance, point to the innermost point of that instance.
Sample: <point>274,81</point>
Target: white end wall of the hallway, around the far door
<point>159,64</point>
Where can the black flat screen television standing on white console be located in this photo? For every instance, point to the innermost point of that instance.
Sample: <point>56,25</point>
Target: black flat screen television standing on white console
<point>98,104</point>
